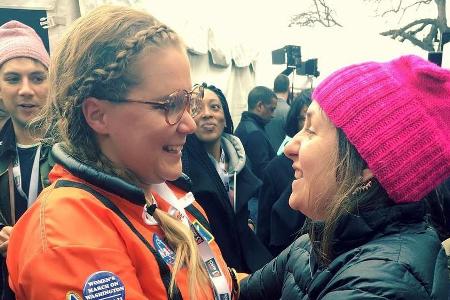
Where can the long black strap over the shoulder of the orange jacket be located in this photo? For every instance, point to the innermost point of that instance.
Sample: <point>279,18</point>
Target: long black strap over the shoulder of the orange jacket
<point>163,268</point>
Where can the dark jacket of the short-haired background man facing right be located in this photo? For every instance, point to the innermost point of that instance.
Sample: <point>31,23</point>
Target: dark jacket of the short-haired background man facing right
<point>256,142</point>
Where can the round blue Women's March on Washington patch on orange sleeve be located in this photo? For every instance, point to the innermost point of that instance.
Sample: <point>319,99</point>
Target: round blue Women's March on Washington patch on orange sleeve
<point>103,285</point>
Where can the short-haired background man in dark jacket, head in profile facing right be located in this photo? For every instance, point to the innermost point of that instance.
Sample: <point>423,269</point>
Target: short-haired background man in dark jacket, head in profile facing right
<point>262,103</point>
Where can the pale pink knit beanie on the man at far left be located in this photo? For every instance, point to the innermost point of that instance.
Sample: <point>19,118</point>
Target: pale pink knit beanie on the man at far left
<point>20,40</point>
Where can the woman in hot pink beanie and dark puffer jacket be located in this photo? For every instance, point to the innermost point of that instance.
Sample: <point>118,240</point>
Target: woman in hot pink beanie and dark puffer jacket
<point>376,142</point>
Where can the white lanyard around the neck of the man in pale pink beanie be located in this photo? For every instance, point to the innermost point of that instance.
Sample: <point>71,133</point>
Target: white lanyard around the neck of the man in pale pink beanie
<point>34,178</point>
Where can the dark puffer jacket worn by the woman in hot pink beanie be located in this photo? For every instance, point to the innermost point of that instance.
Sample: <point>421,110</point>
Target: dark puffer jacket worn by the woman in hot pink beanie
<point>385,254</point>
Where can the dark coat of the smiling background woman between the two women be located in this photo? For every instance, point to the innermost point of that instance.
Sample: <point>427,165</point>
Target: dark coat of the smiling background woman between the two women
<point>239,245</point>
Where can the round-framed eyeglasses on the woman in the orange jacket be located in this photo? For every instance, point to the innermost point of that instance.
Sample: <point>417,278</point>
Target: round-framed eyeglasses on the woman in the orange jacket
<point>176,103</point>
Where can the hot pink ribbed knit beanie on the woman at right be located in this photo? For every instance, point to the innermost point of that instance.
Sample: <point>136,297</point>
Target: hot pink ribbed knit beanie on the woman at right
<point>397,115</point>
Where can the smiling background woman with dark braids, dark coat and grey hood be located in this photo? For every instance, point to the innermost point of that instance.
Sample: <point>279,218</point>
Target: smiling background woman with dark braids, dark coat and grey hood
<point>223,183</point>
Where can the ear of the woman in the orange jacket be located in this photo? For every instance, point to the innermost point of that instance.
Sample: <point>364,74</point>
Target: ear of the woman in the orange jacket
<point>94,112</point>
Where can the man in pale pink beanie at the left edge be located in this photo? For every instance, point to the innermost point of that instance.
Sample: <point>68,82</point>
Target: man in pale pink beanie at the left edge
<point>24,163</point>
